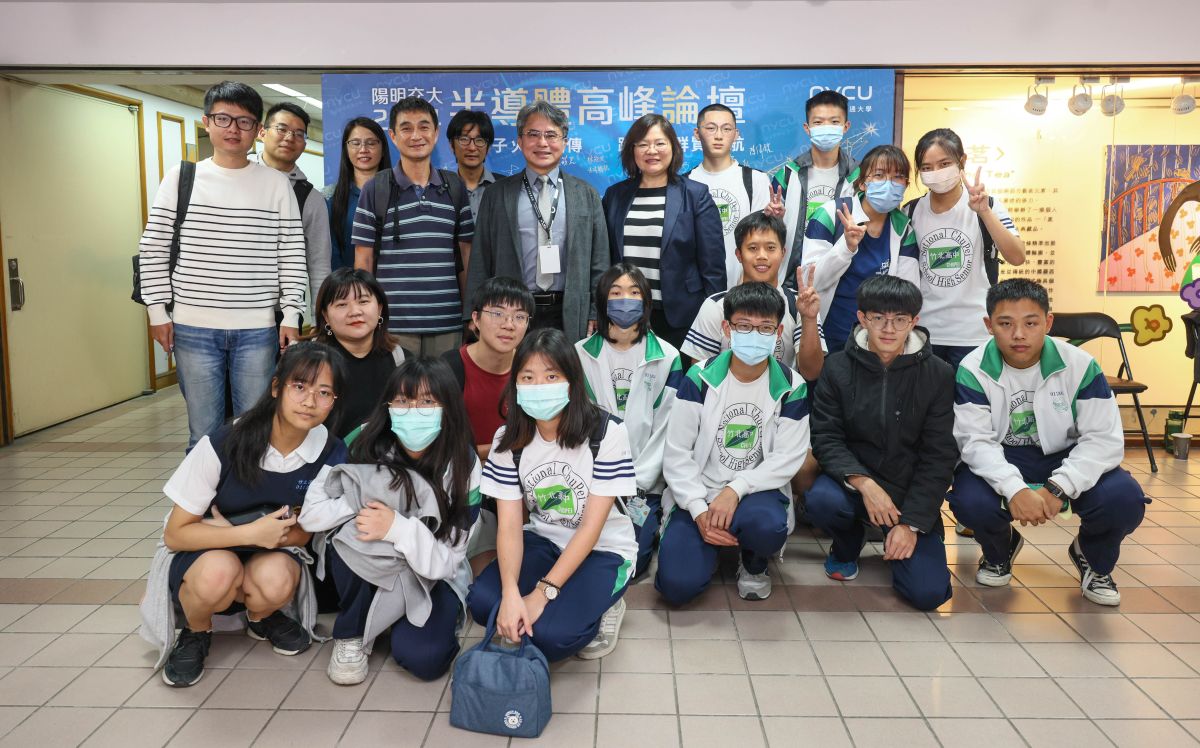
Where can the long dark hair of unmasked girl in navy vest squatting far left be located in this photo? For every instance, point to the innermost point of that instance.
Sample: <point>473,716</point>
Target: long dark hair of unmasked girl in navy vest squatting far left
<point>251,434</point>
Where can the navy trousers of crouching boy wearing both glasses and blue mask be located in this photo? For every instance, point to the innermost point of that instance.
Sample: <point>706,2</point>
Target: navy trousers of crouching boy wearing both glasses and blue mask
<point>687,564</point>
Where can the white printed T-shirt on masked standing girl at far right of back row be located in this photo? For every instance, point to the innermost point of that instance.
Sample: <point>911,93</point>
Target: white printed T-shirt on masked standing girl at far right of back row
<point>953,280</point>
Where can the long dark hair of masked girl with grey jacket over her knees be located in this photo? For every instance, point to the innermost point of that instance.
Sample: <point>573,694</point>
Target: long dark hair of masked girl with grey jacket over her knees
<point>452,454</point>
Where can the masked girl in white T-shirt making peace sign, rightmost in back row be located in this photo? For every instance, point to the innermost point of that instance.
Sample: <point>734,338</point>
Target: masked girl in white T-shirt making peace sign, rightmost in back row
<point>955,224</point>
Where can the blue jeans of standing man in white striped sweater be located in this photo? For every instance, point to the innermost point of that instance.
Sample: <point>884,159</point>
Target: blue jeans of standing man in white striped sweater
<point>203,358</point>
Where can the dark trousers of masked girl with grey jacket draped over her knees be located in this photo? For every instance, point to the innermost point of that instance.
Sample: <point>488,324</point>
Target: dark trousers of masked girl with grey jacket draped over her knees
<point>425,651</point>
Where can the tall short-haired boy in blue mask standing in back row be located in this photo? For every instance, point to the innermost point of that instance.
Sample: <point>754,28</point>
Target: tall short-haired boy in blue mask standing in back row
<point>824,173</point>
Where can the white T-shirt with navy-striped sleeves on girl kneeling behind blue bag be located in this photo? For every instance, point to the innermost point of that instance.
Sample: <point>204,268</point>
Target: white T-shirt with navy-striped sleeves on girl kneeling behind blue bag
<point>555,484</point>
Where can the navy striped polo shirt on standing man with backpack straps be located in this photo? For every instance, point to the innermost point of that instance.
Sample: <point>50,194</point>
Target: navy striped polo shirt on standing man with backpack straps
<point>419,254</point>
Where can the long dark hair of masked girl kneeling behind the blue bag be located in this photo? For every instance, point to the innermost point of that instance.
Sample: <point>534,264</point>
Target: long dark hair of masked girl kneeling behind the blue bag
<point>579,418</point>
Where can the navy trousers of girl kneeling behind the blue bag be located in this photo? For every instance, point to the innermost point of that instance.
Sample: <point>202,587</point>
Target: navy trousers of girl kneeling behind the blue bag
<point>572,621</point>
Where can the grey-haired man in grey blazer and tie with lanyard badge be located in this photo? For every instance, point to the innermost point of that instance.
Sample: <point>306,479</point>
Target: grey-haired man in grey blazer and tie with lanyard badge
<point>543,228</point>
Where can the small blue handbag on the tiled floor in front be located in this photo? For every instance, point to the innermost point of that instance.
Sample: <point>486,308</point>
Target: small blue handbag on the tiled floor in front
<point>501,691</point>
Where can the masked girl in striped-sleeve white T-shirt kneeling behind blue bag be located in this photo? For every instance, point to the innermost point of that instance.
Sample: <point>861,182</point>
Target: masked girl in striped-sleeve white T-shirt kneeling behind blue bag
<point>556,577</point>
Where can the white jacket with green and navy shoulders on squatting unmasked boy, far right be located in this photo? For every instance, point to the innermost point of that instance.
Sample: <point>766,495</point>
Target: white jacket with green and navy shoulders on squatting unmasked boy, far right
<point>1073,409</point>
